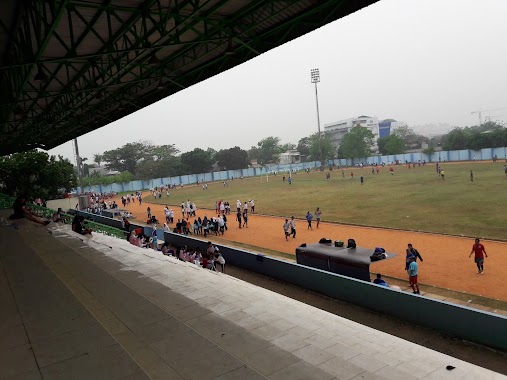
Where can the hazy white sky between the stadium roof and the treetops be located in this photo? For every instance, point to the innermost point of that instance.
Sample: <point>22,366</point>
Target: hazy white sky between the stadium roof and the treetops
<point>419,61</point>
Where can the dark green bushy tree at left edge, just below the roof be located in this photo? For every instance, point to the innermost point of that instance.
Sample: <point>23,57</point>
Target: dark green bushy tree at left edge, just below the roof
<point>36,174</point>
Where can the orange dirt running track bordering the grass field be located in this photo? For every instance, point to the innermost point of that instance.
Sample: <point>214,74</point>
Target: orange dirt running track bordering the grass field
<point>446,263</point>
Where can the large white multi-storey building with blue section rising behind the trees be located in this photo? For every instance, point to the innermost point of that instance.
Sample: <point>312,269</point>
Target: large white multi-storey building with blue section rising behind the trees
<point>335,131</point>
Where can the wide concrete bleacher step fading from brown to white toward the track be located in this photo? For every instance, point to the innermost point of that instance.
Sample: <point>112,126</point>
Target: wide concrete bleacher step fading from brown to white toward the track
<point>178,321</point>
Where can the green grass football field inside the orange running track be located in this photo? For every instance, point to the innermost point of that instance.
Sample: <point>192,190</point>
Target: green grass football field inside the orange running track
<point>411,199</point>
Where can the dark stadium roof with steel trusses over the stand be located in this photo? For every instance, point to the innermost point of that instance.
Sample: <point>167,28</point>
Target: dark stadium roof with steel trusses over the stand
<point>68,67</point>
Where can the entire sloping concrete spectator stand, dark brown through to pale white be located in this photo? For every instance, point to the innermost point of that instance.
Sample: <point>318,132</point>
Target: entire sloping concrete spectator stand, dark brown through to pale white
<point>134,313</point>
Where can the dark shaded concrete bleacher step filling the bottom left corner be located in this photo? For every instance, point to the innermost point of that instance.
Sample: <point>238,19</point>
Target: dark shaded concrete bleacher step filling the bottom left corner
<point>45,332</point>
